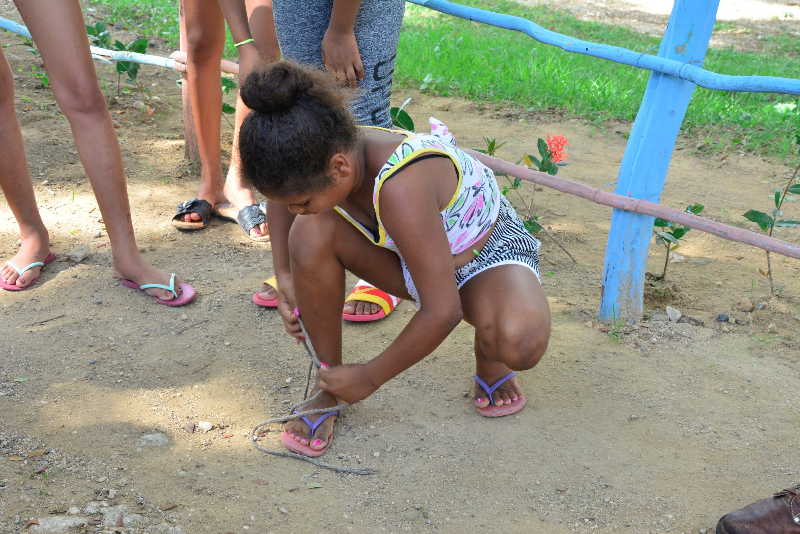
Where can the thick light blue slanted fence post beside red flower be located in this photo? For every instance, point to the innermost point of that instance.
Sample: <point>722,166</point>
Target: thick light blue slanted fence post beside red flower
<point>647,156</point>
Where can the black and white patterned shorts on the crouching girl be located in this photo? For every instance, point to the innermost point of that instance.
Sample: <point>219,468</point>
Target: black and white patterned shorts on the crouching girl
<point>509,244</point>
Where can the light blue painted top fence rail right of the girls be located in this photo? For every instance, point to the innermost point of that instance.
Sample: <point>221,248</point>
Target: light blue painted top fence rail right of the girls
<point>684,71</point>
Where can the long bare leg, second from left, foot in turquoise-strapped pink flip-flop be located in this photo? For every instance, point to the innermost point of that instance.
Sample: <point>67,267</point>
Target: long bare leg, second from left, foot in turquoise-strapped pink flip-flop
<point>58,31</point>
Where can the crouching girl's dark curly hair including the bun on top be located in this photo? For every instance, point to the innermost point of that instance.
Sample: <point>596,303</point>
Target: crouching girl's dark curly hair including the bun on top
<point>299,120</point>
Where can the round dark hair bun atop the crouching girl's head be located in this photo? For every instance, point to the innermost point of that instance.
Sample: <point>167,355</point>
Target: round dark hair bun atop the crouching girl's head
<point>276,88</point>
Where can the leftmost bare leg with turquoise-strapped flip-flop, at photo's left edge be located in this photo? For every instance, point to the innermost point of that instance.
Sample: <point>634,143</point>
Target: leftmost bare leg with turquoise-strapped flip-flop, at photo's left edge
<point>17,187</point>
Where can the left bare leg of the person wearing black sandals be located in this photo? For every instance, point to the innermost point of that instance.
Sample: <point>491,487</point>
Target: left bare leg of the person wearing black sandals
<point>205,35</point>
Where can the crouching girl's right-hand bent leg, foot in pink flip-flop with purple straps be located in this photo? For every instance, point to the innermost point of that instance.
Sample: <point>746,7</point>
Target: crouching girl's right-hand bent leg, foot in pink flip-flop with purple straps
<point>509,311</point>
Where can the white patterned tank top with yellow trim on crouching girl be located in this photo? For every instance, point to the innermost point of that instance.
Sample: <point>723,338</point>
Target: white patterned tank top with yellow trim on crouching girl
<point>471,211</point>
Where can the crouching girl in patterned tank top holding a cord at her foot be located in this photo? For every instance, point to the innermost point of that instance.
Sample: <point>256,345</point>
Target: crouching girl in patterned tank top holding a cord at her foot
<point>409,213</point>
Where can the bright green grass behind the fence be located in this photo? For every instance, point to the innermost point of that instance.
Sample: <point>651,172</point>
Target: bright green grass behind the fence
<point>443,55</point>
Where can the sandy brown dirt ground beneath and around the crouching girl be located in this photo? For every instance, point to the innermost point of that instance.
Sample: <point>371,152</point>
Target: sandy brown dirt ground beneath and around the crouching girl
<point>656,427</point>
